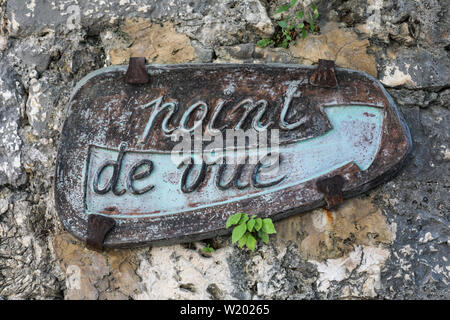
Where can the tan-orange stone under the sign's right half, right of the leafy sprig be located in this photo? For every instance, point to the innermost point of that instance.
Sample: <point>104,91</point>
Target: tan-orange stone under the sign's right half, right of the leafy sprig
<point>325,234</point>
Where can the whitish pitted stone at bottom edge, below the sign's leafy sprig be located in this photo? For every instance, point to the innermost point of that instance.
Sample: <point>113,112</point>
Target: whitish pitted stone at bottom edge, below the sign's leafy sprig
<point>176,272</point>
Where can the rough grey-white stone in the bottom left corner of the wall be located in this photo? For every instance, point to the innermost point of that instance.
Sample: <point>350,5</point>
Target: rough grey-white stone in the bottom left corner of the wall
<point>27,268</point>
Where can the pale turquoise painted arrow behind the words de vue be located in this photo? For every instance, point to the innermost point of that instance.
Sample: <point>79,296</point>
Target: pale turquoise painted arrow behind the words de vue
<point>355,137</point>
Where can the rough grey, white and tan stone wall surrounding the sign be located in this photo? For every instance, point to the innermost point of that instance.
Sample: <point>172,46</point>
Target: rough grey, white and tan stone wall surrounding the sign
<point>392,242</point>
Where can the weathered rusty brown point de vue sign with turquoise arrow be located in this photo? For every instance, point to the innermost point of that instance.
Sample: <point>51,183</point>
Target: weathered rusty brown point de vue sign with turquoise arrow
<point>326,135</point>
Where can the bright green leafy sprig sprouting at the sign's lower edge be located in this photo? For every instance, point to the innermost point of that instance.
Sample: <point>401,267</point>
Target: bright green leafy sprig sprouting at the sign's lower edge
<point>248,230</point>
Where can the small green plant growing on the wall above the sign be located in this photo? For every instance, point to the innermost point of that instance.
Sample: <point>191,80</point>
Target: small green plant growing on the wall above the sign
<point>292,25</point>
